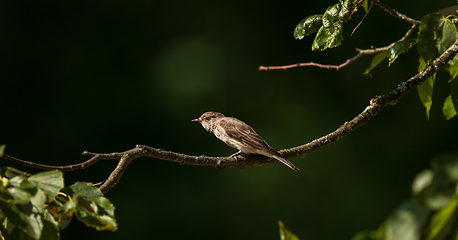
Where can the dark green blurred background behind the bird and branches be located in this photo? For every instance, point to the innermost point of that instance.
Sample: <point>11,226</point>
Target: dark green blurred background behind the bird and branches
<point>103,76</point>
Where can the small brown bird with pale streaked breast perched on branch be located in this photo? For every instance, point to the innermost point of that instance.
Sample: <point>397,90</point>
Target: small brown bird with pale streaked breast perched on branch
<point>239,135</point>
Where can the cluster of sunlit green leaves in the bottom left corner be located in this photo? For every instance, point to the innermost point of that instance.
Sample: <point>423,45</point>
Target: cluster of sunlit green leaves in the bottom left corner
<point>39,206</point>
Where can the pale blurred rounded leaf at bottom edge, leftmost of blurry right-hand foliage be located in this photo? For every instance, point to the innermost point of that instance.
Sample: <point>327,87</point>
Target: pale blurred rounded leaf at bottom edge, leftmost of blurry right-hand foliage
<point>406,222</point>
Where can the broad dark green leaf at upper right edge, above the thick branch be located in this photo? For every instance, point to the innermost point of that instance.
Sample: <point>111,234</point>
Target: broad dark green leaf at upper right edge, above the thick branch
<point>435,35</point>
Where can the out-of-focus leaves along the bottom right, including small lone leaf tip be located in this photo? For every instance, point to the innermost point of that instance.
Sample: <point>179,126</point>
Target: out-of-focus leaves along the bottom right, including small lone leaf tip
<point>431,213</point>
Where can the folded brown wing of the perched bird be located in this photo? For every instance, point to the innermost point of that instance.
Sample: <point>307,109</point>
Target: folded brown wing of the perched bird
<point>244,134</point>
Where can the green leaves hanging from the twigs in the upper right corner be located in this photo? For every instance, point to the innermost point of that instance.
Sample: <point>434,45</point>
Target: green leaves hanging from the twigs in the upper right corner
<point>435,34</point>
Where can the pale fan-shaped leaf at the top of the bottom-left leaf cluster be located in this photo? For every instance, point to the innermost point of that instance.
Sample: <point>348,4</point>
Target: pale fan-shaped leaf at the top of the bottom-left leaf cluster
<point>50,182</point>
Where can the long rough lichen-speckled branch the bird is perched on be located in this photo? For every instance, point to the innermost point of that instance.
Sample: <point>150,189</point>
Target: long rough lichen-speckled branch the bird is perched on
<point>242,161</point>
